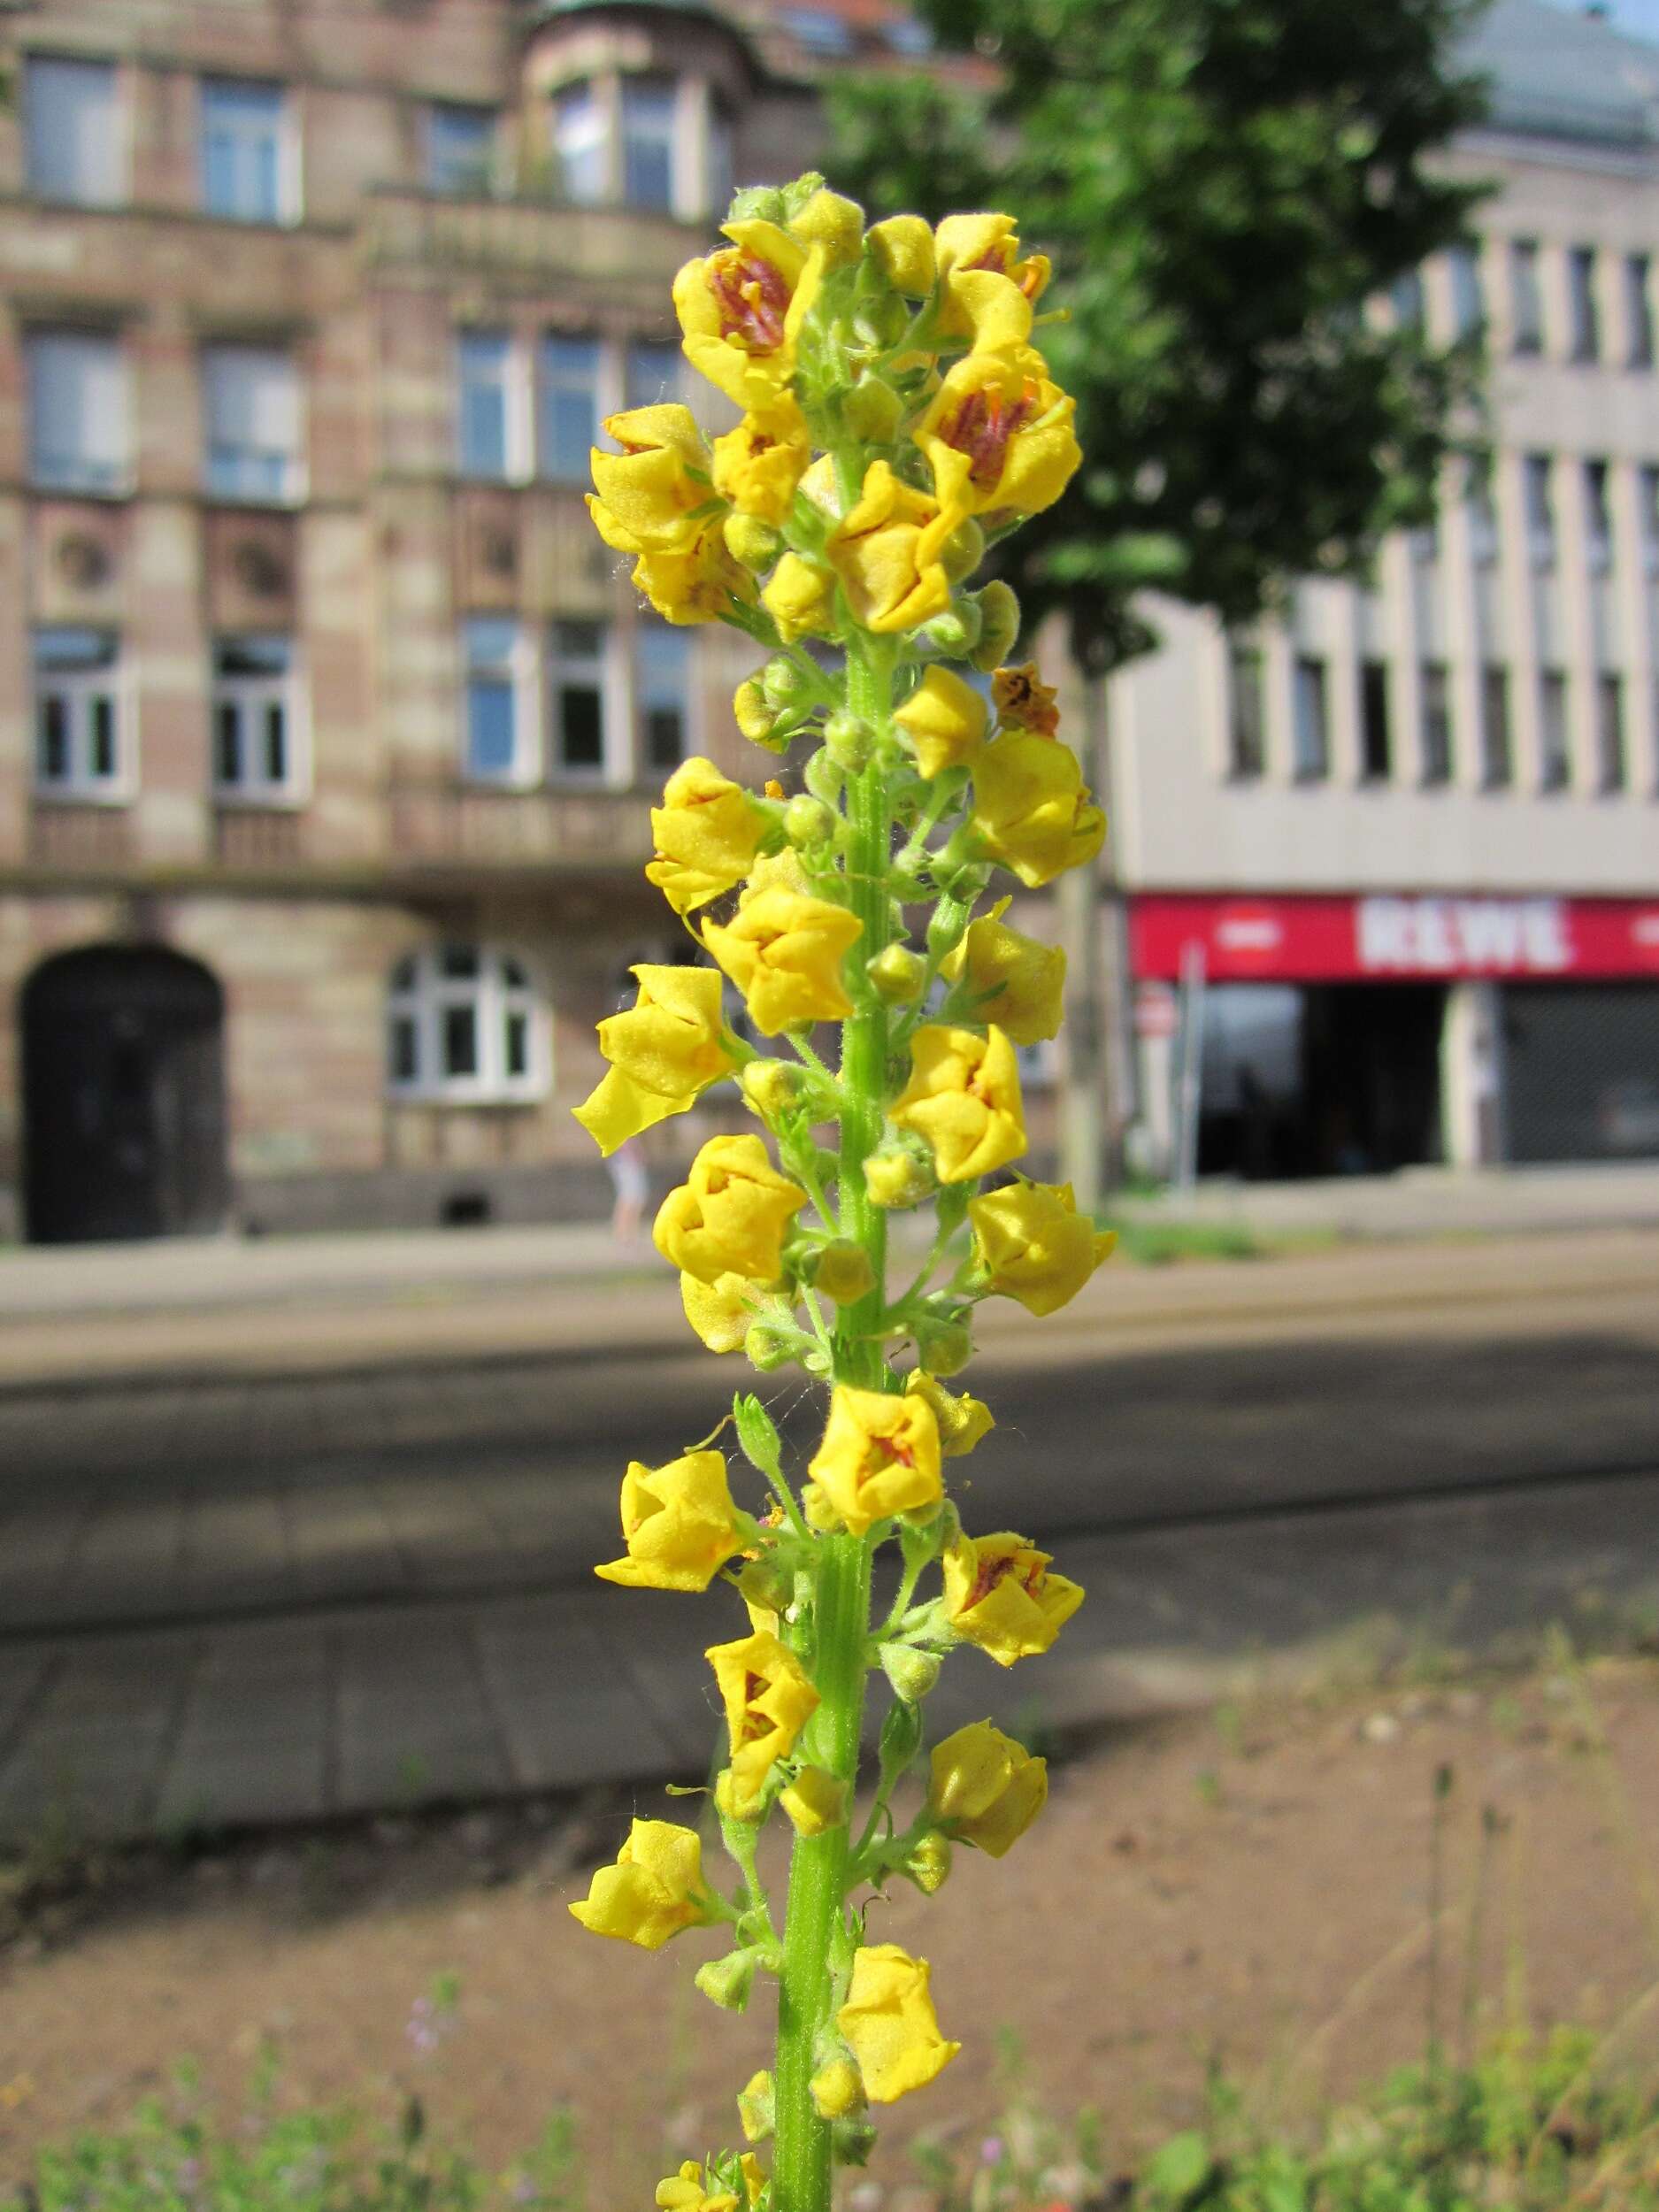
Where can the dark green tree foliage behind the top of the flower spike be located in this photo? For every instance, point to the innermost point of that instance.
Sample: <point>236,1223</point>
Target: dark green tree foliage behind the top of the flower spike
<point>1224,185</point>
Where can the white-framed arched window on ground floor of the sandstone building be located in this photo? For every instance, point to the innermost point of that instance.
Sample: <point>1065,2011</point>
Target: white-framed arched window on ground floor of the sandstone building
<point>466,1023</point>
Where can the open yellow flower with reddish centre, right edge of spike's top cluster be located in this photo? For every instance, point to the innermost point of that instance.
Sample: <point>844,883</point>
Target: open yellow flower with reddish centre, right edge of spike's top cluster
<point>999,435</point>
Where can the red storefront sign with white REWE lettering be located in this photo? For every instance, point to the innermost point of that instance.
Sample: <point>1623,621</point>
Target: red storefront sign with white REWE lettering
<point>1397,937</point>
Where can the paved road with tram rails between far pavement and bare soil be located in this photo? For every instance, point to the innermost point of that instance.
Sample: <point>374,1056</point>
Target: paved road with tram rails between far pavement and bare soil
<point>249,1596</point>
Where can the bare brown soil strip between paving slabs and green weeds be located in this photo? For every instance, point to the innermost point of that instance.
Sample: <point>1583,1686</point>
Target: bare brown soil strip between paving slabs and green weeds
<point>1251,1890</point>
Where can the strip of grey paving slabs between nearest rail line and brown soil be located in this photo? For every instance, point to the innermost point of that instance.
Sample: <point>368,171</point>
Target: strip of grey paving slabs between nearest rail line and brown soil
<point>430,1702</point>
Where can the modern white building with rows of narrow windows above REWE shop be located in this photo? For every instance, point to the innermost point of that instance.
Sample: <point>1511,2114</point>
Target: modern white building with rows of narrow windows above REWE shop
<point>1406,839</point>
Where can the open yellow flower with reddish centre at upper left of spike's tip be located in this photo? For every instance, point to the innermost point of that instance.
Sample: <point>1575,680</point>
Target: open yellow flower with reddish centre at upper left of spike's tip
<point>742,311</point>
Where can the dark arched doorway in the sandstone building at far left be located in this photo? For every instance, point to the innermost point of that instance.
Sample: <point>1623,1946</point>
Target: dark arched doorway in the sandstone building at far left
<point>123,1096</point>
